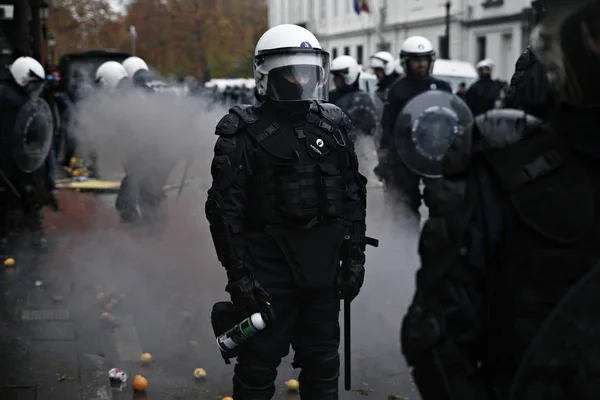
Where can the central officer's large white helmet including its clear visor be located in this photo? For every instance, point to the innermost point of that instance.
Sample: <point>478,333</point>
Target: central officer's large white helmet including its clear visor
<point>289,65</point>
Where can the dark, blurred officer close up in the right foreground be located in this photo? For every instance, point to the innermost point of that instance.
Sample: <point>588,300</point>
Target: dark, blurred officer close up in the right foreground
<point>506,299</point>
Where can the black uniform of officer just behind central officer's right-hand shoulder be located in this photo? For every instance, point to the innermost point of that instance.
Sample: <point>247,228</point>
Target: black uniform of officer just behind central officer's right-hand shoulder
<point>358,106</point>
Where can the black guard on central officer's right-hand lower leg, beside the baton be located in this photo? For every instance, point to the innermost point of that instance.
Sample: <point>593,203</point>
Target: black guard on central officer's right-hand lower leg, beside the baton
<point>319,377</point>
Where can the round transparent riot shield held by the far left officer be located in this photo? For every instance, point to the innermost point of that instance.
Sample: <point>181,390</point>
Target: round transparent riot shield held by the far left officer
<point>32,135</point>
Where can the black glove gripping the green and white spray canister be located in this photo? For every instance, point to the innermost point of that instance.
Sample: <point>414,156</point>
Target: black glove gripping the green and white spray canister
<point>246,293</point>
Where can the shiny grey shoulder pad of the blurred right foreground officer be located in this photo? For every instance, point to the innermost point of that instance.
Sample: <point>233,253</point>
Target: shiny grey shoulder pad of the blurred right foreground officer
<point>502,128</point>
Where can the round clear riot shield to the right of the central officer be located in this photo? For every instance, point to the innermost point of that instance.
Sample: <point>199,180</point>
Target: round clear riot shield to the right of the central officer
<point>426,127</point>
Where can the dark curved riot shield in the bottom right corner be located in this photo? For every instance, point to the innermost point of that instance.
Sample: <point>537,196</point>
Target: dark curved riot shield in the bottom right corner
<point>563,361</point>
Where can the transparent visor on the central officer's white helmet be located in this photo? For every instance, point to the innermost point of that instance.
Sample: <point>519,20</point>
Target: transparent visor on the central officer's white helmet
<point>294,75</point>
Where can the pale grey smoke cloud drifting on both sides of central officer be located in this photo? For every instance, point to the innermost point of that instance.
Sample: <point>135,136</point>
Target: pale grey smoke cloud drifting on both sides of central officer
<point>163,276</point>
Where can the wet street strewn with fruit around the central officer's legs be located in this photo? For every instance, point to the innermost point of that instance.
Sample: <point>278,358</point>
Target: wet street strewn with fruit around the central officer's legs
<point>160,291</point>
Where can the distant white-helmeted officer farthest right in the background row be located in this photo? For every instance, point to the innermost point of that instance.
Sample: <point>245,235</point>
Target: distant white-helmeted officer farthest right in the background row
<point>487,93</point>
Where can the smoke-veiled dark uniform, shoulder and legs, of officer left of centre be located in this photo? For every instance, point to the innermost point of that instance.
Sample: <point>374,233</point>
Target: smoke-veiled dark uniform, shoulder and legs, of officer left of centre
<point>146,171</point>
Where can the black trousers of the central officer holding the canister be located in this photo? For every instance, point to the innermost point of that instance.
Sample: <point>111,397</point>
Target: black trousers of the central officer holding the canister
<point>306,319</point>
